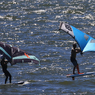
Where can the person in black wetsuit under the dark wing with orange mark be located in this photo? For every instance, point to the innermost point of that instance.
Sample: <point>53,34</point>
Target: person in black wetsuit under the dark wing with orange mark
<point>4,69</point>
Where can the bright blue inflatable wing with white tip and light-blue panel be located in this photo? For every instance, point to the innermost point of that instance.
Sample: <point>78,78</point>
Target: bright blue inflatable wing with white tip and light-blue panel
<point>85,42</point>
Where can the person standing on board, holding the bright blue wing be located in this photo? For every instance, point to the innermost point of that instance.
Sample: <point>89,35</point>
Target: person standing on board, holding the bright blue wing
<point>74,51</point>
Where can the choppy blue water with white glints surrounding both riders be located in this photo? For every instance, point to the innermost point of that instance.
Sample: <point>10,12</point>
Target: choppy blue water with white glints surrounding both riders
<point>32,25</point>
